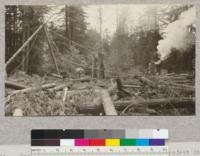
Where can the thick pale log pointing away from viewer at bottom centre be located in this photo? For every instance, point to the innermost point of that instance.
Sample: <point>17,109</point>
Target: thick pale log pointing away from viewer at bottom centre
<point>108,105</point>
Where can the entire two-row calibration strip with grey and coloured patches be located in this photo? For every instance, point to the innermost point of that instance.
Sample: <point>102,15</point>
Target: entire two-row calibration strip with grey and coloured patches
<point>71,138</point>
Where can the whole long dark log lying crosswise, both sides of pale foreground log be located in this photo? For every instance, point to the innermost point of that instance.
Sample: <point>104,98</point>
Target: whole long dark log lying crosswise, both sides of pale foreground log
<point>151,103</point>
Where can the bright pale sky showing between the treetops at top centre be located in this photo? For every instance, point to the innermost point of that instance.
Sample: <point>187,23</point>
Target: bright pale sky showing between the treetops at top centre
<point>110,14</point>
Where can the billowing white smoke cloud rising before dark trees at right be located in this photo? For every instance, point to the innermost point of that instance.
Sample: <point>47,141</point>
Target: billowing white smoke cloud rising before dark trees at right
<point>177,34</point>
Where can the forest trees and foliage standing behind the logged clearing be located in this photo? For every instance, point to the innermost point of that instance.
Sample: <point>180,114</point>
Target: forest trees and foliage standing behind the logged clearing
<point>77,43</point>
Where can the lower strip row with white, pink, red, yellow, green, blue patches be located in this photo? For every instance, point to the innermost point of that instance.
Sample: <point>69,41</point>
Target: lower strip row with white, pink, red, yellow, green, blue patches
<point>98,142</point>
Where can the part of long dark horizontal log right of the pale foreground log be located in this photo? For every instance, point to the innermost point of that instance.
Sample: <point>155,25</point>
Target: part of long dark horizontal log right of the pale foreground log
<point>156,103</point>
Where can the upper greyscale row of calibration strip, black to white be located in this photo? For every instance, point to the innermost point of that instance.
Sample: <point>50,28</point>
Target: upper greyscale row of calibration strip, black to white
<point>99,134</point>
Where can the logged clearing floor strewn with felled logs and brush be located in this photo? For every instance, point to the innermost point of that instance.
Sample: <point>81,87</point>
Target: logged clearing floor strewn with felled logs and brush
<point>170,94</point>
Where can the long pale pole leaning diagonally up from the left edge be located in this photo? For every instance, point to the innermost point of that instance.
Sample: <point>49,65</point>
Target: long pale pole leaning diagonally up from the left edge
<point>23,46</point>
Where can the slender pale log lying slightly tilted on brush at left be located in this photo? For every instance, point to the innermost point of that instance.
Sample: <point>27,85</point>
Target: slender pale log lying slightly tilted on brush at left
<point>45,86</point>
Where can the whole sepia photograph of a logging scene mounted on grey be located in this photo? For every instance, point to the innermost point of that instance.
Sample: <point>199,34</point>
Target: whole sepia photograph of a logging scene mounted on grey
<point>100,60</point>
